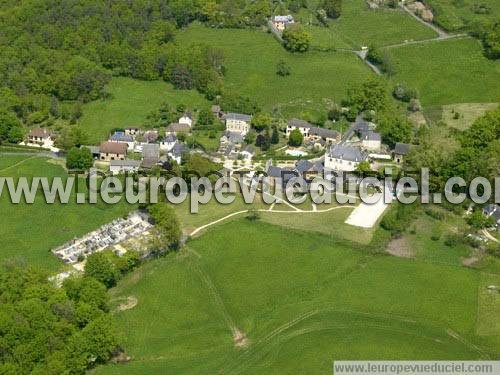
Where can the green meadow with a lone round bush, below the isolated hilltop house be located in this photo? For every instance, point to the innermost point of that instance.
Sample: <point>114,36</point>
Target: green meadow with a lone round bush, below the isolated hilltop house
<point>251,57</point>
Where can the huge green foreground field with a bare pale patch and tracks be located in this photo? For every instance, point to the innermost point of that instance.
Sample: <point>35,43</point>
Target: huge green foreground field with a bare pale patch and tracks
<point>251,297</point>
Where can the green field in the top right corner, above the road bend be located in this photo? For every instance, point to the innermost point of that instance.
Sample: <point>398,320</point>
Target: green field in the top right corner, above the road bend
<point>457,15</point>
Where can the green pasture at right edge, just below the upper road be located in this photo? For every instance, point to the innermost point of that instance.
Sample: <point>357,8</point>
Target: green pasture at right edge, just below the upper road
<point>446,72</point>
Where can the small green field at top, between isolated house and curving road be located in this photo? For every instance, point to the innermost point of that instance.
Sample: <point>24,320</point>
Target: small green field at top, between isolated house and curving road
<point>361,26</point>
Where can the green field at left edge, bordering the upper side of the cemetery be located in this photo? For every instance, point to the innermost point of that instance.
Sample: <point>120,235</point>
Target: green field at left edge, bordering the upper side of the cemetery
<point>30,231</point>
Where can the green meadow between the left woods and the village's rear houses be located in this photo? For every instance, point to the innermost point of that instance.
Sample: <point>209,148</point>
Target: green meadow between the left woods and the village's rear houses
<point>131,101</point>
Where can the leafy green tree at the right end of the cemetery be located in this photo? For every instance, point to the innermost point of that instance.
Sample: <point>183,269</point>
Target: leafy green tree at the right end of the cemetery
<point>167,227</point>
